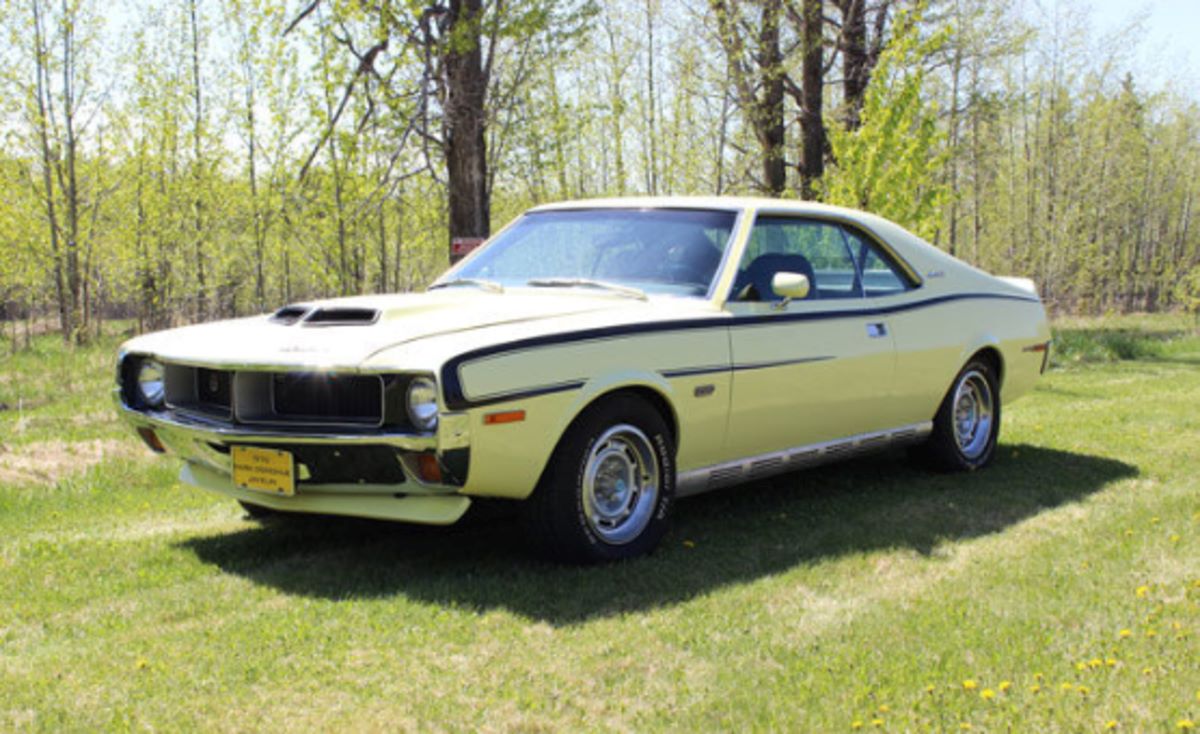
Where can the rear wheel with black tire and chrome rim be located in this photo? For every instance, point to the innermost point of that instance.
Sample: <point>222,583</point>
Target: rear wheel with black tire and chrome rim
<point>968,423</point>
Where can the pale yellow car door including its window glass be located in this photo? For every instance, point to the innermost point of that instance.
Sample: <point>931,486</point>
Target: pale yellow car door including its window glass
<point>812,370</point>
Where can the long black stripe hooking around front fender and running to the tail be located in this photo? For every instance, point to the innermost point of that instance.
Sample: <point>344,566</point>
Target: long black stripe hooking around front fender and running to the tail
<point>458,401</point>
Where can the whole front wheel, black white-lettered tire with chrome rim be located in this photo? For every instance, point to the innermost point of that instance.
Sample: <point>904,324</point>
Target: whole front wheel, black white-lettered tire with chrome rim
<point>609,489</point>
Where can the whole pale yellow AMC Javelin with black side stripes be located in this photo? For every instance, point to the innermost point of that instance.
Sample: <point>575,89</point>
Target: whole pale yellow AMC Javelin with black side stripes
<point>597,360</point>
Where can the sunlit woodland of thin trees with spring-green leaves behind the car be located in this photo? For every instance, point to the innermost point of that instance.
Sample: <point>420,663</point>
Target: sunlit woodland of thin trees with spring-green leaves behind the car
<point>182,160</point>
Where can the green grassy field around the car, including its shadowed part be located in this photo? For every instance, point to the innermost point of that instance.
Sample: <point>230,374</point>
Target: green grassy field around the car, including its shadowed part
<point>1059,591</point>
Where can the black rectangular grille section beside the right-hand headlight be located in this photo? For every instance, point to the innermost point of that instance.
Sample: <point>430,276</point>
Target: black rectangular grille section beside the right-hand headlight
<point>320,398</point>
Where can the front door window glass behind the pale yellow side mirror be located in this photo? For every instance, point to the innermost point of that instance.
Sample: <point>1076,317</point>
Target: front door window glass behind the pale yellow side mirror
<point>813,249</point>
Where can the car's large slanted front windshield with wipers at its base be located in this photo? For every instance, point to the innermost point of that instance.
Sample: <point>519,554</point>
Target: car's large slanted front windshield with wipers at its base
<point>664,251</point>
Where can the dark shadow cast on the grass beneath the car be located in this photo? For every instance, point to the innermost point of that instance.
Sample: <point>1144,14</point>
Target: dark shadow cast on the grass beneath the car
<point>727,538</point>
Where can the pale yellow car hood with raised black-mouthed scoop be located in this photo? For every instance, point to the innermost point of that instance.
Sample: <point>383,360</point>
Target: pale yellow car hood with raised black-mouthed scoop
<point>398,321</point>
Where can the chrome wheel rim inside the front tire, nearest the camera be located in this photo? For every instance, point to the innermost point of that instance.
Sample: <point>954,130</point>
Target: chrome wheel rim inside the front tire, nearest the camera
<point>621,484</point>
